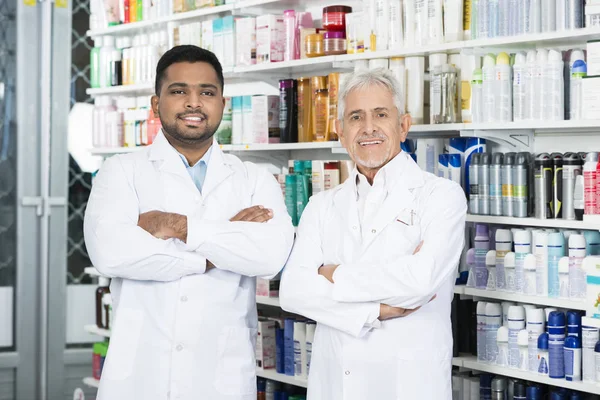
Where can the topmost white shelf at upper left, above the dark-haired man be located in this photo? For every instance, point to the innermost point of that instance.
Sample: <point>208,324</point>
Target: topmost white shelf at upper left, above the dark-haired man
<point>154,25</point>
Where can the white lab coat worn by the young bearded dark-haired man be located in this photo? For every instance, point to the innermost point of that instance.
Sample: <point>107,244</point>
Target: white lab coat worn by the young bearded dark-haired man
<point>181,333</point>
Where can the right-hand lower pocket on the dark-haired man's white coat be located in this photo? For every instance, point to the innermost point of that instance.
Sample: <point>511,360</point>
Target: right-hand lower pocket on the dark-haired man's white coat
<point>236,373</point>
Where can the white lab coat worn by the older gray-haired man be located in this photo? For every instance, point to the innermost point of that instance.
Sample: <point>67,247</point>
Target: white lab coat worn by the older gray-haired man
<point>354,356</point>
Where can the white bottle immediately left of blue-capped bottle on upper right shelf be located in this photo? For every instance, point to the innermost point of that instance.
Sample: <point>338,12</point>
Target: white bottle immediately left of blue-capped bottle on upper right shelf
<point>554,84</point>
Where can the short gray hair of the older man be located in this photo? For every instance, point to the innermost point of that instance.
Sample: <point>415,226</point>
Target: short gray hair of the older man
<point>363,79</point>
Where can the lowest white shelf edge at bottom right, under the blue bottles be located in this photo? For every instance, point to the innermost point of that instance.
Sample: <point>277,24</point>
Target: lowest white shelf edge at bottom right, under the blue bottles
<point>470,362</point>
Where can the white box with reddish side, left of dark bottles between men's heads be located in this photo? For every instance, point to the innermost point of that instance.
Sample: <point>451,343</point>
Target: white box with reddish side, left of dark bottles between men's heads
<point>265,119</point>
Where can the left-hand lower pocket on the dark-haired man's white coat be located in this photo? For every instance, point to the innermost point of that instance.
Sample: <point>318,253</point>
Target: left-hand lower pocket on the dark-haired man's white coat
<point>123,344</point>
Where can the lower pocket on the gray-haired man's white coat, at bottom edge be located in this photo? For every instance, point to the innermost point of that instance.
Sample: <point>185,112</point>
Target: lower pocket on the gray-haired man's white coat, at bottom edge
<point>424,373</point>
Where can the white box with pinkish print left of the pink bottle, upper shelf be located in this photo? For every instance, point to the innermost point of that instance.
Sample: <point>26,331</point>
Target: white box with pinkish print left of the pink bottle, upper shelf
<point>270,38</point>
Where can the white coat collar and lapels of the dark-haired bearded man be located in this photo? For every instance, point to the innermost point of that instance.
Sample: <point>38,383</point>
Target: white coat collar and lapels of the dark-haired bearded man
<point>217,171</point>
